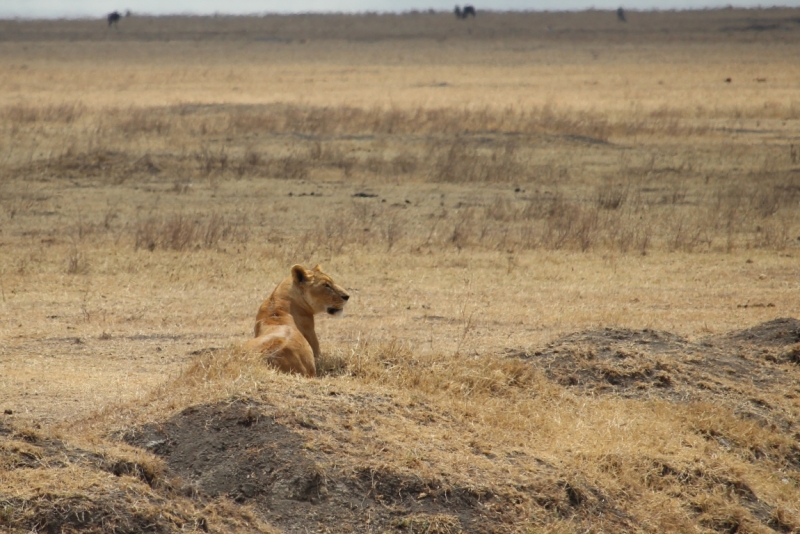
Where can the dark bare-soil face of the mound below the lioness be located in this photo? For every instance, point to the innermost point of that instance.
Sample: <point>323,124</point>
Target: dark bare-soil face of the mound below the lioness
<point>240,450</point>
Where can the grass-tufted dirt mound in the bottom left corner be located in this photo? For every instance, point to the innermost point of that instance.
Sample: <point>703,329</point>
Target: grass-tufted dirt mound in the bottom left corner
<point>55,487</point>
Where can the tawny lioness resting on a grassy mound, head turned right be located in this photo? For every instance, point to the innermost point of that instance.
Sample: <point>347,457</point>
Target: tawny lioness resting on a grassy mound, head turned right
<point>285,321</point>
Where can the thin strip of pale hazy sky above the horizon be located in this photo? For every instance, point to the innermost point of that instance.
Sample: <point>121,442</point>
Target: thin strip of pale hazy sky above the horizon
<point>97,8</point>
